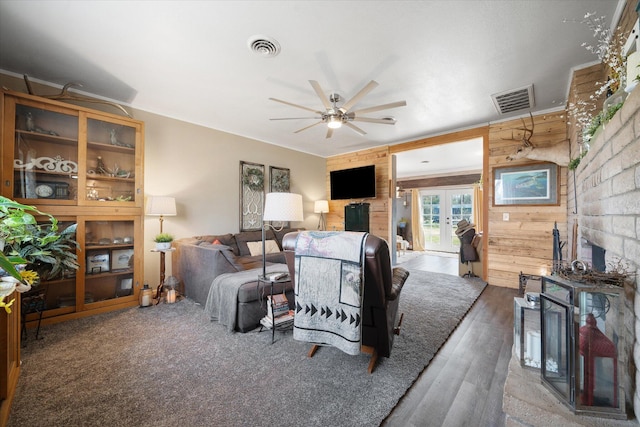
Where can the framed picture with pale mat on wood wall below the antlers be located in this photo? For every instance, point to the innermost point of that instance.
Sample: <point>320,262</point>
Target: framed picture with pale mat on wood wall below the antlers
<point>534,184</point>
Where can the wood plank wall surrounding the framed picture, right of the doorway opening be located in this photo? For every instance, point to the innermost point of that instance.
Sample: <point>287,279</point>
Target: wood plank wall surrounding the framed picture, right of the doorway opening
<point>525,242</point>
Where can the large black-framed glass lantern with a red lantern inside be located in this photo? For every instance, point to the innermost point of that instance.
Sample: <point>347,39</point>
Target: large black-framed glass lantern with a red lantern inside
<point>582,341</point>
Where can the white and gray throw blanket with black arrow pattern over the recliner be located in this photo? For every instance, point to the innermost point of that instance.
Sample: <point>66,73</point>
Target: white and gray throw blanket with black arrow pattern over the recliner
<point>329,289</point>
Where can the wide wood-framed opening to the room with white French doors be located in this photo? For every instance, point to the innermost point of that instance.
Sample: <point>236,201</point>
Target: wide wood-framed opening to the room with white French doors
<point>435,190</point>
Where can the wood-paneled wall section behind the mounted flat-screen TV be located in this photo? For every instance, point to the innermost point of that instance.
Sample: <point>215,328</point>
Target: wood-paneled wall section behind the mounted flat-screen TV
<point>380,210</point>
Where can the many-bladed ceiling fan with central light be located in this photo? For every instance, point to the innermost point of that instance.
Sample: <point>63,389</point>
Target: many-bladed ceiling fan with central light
<point>335,116</point>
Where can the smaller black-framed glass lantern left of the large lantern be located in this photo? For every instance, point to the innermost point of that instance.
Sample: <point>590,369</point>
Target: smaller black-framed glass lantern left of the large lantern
<point>526,333</point>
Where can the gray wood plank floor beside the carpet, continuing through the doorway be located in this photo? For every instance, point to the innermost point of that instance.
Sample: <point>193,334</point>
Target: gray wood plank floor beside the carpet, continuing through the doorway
<point>463,384</point>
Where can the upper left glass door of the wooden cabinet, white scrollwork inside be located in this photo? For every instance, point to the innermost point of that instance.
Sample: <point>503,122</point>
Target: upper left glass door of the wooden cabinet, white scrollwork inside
<point>45,155</point>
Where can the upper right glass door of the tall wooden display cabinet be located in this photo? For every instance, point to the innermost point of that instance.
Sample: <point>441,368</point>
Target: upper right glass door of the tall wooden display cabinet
<point>111,162</point>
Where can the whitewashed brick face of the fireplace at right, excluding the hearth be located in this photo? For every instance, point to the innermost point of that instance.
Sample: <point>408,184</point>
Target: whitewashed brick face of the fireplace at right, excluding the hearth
<point>606,209</point>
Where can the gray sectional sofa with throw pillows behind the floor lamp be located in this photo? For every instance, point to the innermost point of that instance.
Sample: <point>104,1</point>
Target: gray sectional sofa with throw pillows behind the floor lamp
<point>198,260</point>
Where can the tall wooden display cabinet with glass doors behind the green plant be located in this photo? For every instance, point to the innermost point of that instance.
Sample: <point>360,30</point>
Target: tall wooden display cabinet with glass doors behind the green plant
<point>84,167</point>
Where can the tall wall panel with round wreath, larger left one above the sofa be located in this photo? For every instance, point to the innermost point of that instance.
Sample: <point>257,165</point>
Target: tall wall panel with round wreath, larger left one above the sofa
<point>251,195</point>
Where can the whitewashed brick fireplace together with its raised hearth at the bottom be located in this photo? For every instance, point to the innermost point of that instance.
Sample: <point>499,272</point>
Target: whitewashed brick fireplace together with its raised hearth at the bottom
<point>606,208</point>
